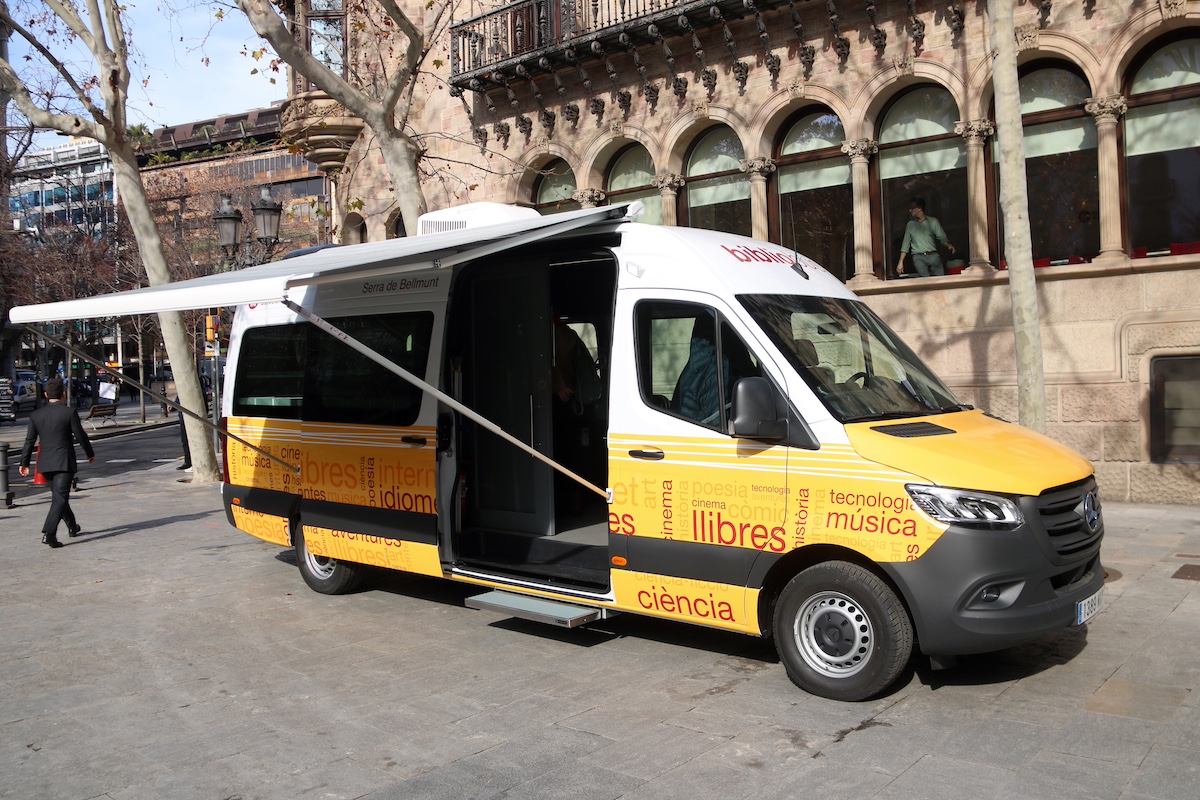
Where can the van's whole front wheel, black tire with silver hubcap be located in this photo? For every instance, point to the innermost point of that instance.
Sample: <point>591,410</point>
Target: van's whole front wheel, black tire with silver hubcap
<point>813,617</point>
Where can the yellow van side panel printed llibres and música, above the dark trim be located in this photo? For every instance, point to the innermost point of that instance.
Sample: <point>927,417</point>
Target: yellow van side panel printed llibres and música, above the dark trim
<point>772,500</point>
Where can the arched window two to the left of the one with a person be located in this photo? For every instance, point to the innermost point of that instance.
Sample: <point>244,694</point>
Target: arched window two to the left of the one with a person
<point>718,193</point>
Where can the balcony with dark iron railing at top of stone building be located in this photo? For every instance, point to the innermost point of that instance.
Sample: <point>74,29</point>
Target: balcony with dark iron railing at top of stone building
<point>551,35</point>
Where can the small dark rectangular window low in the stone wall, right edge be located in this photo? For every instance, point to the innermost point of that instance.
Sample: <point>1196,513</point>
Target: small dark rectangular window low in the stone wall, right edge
<point>1175,410</point>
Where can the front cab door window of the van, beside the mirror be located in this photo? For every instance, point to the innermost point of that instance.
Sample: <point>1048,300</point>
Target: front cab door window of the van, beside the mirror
<point>680,347</point>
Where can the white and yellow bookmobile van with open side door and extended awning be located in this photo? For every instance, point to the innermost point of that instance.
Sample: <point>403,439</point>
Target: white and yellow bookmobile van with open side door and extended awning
<point>589,416</point>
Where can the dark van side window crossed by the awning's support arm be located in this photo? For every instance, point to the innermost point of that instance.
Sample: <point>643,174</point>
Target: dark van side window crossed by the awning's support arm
<point>346,387</point>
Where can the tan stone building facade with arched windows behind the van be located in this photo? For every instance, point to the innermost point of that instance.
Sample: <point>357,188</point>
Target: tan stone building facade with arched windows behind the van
<point>814,124</point>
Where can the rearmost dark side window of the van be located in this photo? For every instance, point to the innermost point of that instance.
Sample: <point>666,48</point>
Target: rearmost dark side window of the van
<point>271,372</point>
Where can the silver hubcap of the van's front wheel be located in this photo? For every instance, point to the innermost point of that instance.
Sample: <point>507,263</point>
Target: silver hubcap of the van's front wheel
<point>835,635</point>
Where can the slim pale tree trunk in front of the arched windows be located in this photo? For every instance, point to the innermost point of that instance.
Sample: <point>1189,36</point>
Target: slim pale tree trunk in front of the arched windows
<point>1015,206</point>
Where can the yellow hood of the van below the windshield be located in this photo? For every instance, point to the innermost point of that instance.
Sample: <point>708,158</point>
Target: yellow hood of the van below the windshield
<point>982,454</point>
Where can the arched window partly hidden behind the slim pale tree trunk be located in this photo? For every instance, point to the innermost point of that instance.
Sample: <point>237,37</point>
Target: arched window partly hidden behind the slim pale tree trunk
<point>1061,167</point>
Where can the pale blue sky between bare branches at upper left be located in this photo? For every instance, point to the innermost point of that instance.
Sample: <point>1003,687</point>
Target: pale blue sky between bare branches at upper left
<point>173,47</point>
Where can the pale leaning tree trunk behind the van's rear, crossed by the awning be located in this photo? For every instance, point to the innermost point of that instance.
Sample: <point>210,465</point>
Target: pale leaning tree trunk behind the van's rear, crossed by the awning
<point>175,336</point>
